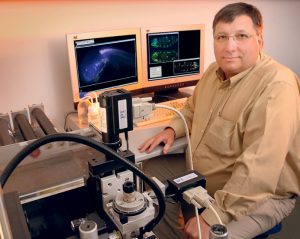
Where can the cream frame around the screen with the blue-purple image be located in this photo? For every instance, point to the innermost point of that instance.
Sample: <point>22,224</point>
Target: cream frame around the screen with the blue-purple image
<point>71,38</point>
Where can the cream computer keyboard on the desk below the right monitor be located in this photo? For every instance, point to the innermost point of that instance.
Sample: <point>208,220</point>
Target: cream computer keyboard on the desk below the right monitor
<point>160,114</point>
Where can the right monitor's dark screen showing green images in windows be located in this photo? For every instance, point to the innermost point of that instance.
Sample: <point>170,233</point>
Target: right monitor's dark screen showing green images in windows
<point>173,54</point>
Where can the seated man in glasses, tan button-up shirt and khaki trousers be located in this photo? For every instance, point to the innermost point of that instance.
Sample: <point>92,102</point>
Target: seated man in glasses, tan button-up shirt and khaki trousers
<point>244,118</point>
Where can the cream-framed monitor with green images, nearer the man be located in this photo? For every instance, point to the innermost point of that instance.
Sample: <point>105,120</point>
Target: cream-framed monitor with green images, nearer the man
<point>172,57</point>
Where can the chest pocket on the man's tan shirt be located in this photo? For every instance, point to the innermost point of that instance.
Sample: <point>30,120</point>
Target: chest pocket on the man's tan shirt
<point>220,137</point>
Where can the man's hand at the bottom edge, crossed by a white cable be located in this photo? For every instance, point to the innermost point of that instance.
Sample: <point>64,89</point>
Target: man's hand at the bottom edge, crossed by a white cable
<point>191,229</point>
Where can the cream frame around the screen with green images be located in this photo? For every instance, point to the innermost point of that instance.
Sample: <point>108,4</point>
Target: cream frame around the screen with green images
<point>170,82</point>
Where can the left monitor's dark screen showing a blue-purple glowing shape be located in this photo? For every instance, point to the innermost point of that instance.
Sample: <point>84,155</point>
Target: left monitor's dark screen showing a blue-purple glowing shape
<point>105,62</point>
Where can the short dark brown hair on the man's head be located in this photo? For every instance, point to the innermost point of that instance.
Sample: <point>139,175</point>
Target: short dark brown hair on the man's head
<point>228,13</point>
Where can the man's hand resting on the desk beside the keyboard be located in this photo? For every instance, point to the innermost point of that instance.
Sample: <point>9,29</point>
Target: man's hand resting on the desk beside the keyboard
<point>167,137</point>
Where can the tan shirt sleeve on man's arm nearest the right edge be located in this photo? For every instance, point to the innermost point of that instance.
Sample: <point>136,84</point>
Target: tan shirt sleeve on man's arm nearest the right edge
<point>269,133</point>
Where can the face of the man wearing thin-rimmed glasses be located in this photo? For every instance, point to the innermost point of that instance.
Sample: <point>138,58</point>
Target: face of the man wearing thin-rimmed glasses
<point>241,50</point>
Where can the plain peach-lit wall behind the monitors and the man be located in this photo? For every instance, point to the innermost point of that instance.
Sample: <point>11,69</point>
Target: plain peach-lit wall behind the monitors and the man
<point>33,54</point>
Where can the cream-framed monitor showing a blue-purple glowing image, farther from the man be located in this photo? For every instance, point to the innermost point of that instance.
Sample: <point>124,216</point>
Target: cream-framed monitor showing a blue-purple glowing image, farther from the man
<point>104,60</point>
